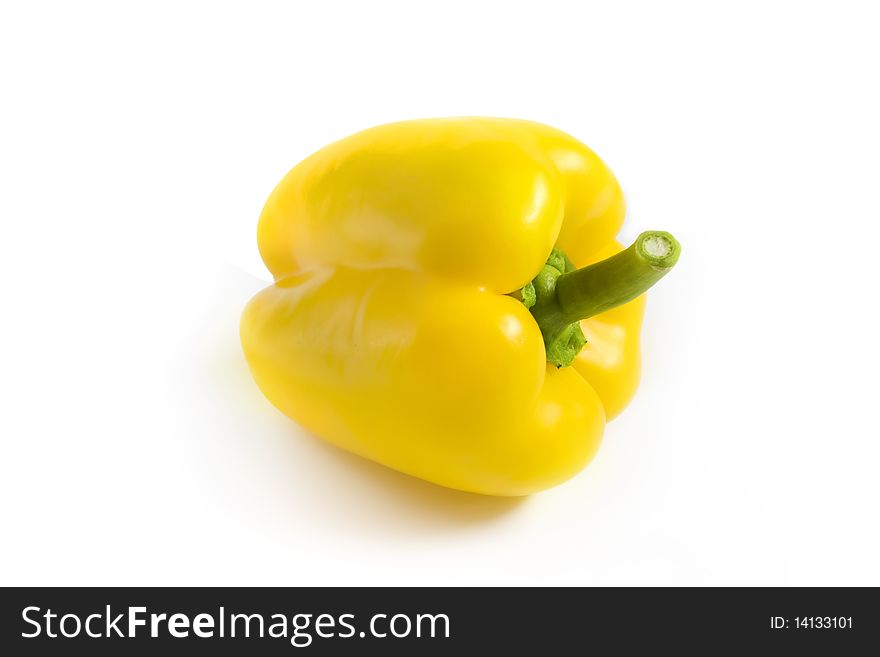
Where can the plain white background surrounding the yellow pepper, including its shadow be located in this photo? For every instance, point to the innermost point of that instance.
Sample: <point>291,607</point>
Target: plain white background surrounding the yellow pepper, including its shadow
<point>138,143</point>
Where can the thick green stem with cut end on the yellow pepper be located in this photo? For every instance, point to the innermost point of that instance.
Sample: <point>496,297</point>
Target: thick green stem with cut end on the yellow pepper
<point>564,296</point>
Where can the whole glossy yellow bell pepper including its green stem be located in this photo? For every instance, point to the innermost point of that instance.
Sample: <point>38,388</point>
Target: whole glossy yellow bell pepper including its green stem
<point>427,305</point>
